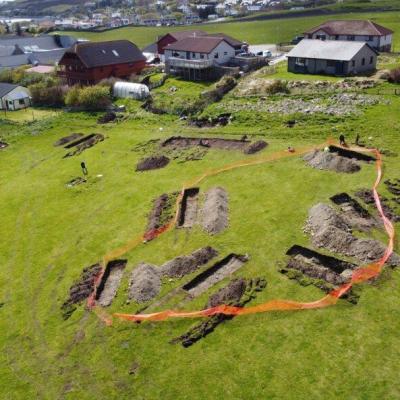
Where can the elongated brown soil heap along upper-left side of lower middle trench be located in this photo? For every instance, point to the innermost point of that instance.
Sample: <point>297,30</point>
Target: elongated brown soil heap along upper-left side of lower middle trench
<point>183,265</point>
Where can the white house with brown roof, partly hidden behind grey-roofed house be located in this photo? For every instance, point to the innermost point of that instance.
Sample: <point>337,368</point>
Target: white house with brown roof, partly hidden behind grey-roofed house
<point>377,36</point>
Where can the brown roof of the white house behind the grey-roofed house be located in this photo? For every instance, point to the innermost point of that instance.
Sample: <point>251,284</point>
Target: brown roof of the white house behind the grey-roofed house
<point>352,27</point>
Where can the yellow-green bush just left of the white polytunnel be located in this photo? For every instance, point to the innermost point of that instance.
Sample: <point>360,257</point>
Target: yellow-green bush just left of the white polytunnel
<point>92,98</point>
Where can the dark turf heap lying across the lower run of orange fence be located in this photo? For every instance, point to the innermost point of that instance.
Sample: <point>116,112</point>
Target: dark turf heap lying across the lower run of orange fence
<point>237,293</point>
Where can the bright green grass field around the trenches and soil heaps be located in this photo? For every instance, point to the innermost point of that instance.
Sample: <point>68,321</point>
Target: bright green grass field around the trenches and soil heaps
<point>50,233</point>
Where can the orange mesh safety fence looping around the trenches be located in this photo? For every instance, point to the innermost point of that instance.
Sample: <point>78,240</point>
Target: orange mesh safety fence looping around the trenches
<point>361,274</point>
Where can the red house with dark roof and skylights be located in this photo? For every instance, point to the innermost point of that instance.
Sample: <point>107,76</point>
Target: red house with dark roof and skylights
<point>89,63</point>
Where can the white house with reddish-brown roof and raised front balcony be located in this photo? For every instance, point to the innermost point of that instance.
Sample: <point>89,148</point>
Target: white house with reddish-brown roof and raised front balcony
<point>196,58</point>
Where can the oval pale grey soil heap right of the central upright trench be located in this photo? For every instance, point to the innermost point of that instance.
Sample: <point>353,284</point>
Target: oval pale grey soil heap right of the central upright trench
<point>215,211</point>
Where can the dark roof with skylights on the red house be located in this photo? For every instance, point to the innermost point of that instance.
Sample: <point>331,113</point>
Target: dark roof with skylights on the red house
<point>97,54</point>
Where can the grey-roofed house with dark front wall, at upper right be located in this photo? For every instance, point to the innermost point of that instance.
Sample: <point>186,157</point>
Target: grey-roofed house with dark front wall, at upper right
<point>332,57</point>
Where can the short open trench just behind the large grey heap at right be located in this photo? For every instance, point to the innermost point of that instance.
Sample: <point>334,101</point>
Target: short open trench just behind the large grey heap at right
<point>353,213</point>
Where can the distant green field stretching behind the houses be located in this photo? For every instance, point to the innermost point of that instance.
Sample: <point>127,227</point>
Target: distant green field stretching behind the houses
<point>254,32</point>
